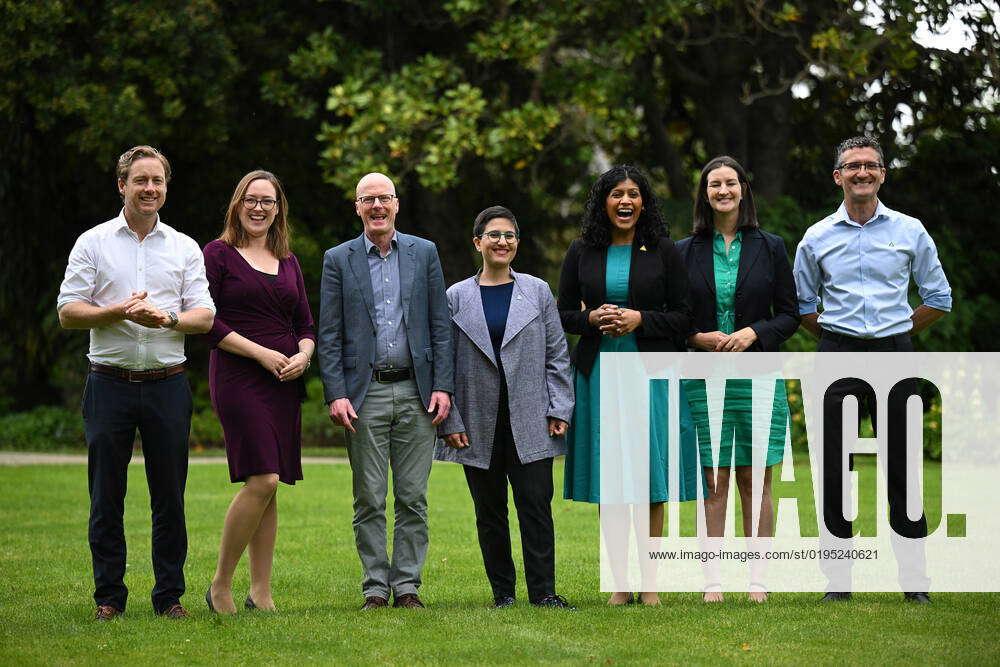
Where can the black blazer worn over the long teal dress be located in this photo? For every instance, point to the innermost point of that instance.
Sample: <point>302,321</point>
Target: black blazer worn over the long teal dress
<point>657,288</point>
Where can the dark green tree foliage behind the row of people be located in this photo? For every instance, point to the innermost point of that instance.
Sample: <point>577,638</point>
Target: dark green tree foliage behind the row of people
<point>467,103</point>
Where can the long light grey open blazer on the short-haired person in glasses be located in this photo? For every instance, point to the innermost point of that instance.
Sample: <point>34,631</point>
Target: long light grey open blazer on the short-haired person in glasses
<point>536,365</point>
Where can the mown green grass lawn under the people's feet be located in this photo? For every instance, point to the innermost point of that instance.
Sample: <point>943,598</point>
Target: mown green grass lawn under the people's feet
<point>46,607</point>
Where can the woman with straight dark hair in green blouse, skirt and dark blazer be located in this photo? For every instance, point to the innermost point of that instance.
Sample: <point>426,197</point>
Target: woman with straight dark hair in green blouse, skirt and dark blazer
<point>743,299</point>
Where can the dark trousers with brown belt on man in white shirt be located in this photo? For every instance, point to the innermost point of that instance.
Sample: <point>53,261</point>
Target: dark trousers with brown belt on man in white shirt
<point>113,409</point>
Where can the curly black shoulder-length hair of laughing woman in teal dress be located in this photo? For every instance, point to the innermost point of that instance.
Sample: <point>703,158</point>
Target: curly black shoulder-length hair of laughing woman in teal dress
<point>595,228</point>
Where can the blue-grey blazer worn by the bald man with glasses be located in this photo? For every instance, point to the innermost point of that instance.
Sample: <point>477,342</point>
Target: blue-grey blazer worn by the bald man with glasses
<point>345,338</point>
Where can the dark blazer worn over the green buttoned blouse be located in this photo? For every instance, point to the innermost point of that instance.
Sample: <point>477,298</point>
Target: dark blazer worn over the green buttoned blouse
<point>765,288</point>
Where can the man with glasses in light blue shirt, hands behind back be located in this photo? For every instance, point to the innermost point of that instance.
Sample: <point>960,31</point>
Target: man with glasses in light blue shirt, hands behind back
<point>858,263</point>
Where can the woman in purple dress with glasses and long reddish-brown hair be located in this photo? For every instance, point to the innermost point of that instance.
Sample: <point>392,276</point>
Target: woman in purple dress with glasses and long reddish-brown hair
<point>262,342</point>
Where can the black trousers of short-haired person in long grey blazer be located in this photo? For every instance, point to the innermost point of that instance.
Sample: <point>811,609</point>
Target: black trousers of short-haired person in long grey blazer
<point>532,487</point>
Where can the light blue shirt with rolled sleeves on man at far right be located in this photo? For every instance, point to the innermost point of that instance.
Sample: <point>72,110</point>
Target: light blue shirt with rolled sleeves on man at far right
<point>861,273</point>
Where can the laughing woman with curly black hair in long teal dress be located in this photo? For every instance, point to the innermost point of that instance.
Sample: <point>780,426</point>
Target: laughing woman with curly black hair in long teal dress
<point>623,288</point>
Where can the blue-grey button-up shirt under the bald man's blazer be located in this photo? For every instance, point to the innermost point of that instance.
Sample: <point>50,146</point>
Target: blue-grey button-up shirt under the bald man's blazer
<point>391,347</point>
